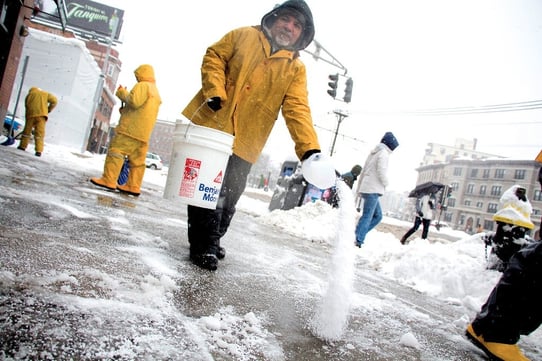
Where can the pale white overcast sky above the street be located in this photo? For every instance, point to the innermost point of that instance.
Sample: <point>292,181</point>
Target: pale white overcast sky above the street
<point>409,61</point>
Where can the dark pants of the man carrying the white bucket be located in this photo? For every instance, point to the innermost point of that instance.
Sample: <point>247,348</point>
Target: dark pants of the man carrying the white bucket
<point>207,226</point>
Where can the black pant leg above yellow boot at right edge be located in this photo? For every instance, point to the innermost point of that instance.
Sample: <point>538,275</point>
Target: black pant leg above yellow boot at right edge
<point>514,307</point>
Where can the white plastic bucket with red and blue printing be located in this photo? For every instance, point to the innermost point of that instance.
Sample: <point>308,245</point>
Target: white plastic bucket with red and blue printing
<point>197,165</point>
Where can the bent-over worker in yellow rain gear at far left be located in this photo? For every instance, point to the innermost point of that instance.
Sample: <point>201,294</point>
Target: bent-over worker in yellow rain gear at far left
<point>38,105</point>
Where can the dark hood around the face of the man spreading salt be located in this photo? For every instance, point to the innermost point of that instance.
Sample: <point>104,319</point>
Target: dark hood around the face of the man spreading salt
<point>301,7</point>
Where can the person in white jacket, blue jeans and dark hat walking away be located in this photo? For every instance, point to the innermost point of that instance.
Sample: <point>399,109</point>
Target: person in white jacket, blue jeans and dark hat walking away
<point>372,185</point>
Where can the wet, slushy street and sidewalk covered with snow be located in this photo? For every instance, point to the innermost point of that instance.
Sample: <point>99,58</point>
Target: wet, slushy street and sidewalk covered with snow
<point>94,275</point>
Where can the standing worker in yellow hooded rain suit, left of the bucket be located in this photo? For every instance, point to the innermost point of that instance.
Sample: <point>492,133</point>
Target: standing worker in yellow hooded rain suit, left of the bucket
<point>131,140</point>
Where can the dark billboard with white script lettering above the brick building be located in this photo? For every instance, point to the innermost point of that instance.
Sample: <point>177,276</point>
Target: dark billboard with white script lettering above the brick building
<point>85,16</point>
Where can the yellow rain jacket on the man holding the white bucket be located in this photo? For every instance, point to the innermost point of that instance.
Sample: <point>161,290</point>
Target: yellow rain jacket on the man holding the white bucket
<point>253,85</point>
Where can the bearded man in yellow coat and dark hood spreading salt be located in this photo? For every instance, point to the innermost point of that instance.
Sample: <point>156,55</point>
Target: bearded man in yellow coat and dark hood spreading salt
<point>248,76</point>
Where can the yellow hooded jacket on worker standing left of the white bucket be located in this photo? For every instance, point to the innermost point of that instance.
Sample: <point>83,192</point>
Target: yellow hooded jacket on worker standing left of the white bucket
<point>141,104</point>
